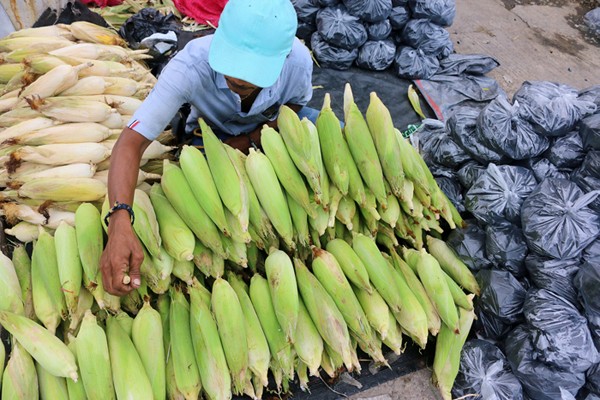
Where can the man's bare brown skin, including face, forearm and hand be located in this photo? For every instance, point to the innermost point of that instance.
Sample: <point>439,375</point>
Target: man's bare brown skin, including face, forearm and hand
<point>123,253</point>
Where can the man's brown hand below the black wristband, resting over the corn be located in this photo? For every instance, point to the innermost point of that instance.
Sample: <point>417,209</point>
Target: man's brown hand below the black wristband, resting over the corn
<point>122,256</point>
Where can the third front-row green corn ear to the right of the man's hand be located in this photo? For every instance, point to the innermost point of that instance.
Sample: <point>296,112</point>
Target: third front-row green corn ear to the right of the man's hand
<point>208,349</point>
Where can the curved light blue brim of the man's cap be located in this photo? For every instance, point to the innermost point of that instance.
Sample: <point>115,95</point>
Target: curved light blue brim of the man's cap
<point>239,63</point>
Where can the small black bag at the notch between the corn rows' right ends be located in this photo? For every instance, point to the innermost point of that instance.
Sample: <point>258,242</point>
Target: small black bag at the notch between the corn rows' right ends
<point>469,245</point>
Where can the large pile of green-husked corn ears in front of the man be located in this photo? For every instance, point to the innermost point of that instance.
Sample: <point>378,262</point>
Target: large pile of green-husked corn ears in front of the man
<point>256,267</point>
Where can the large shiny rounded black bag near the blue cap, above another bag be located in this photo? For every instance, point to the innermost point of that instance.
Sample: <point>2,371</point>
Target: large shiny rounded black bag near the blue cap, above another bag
<point>340,28</point>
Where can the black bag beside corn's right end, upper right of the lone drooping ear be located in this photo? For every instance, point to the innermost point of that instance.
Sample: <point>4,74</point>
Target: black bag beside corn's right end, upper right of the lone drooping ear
<point>502,295</point>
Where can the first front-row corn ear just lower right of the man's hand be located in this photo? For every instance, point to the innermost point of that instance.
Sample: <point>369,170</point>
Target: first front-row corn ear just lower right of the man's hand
<point>146,332</point>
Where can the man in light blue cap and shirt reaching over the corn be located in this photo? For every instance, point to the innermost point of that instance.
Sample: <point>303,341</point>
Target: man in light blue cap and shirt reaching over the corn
<point>236,80</point>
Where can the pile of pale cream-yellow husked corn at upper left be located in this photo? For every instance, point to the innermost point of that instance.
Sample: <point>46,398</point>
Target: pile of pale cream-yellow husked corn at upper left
<point>66,92</point>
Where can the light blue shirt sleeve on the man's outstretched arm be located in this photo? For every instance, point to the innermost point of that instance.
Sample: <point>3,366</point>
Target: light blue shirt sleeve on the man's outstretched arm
<point>165,99</point>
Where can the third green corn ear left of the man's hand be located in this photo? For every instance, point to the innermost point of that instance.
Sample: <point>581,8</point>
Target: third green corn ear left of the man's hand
<point>49,302</point>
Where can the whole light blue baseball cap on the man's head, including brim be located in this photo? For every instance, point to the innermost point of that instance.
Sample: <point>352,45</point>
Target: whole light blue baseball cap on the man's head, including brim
<point>253,39</point>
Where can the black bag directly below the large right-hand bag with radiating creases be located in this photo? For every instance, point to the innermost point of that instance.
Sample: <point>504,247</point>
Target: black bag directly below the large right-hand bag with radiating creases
<point>554,275</point>
